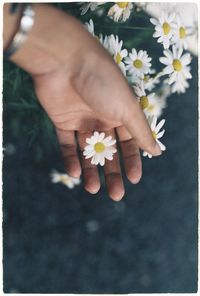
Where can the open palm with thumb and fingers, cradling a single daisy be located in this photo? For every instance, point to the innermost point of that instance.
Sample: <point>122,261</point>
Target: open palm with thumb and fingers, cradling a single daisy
<point>85,92</point>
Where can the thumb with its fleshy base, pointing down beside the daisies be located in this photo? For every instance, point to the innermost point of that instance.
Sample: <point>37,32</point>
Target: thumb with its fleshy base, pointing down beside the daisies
<point>107,92</point>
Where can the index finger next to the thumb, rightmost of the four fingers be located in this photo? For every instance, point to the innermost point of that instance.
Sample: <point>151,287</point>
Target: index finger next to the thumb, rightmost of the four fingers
<point>131,155</point>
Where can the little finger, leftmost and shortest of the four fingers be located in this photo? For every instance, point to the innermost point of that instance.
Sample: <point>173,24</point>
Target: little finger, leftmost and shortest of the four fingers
<point>68,149</point>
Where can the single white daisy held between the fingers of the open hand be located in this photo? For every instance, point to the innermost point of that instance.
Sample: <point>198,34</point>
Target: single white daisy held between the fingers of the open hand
<point>99,148</point>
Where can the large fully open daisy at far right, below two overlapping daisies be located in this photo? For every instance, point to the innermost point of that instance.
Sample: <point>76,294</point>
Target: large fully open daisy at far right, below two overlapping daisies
<point>176,65</point>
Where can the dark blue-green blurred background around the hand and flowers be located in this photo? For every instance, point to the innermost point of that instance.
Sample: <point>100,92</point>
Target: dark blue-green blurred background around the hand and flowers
<point>58,240</point>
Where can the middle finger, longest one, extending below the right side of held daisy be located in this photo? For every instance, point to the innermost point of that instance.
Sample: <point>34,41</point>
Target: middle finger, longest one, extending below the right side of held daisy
<point>113,175</point>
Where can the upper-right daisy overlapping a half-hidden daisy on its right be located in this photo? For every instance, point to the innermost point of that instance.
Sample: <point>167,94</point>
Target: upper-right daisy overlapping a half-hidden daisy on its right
<point>164,28</point>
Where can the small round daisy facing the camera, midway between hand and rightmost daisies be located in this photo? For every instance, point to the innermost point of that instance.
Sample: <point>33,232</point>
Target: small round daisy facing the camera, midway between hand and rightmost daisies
<point>138,64</point>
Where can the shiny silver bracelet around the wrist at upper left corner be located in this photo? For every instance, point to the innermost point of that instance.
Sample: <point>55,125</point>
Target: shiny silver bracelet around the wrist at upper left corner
<point>26,23</point>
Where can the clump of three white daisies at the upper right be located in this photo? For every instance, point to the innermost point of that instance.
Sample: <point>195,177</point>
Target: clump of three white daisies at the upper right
<point>173,35</point>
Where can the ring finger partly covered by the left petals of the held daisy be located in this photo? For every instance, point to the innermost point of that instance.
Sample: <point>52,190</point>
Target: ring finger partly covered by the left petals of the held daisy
<point>89,171</point>
